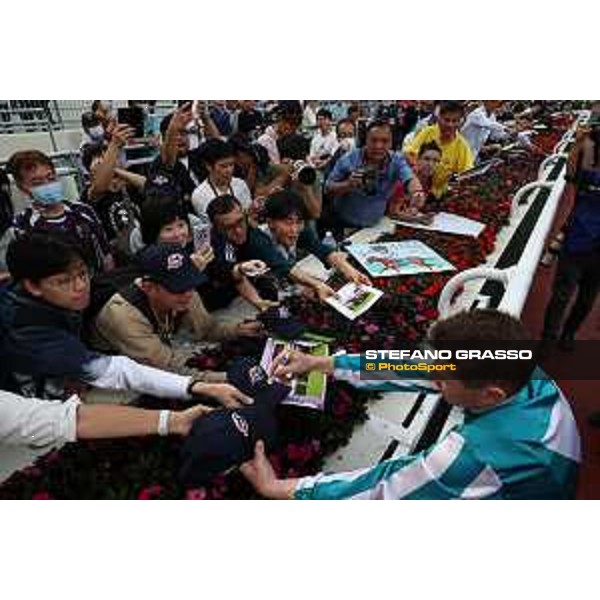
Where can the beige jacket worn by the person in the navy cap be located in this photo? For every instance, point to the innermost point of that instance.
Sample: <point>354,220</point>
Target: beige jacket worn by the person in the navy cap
<point>121,328</point>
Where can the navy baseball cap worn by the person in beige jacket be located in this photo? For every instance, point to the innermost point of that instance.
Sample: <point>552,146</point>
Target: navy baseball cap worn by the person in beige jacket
<point>170,266</point>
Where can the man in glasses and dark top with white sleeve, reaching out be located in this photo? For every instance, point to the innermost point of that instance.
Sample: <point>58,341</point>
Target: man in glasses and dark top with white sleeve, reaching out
<point>41,353</point>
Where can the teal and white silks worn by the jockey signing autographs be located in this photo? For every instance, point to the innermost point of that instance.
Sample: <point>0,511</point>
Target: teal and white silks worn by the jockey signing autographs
<point>525,448</point>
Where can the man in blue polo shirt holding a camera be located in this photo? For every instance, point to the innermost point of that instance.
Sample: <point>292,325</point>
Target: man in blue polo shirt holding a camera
<point>362,181</point>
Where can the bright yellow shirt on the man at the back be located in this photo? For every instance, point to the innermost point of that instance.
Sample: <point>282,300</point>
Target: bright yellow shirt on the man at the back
<point>456,156</point>
